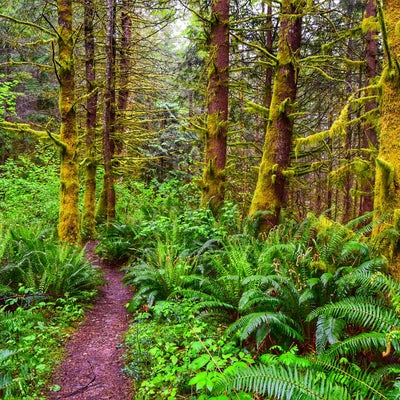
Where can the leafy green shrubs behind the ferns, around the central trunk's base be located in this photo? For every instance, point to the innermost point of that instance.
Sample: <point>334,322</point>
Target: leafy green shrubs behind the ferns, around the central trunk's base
<point>164,213</point>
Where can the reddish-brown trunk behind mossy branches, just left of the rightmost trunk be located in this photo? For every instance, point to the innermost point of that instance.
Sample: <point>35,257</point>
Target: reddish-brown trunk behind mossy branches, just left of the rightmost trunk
<point>370,135</point>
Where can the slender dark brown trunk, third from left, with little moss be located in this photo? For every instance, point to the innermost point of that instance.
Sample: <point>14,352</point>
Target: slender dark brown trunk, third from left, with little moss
<point>107,201</point>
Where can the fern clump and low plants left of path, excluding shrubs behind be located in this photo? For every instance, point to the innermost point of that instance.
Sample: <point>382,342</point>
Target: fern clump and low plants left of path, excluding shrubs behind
<point>44,287</point>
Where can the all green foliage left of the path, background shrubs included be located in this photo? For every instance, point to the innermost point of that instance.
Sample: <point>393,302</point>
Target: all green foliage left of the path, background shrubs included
<point>44,285</point>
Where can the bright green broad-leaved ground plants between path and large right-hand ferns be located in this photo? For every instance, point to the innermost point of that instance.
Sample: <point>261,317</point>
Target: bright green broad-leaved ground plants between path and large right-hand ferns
<point>173,354</point>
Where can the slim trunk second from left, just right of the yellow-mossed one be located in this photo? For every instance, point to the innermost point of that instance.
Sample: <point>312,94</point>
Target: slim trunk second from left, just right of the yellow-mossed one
<point>89,203</point>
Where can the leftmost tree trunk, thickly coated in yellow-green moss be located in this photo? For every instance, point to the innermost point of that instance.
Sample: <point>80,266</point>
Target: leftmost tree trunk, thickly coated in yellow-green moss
<point>68,228</point>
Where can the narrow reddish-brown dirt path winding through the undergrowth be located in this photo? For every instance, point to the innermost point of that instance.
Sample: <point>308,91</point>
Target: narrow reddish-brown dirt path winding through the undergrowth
<point>92,368</point>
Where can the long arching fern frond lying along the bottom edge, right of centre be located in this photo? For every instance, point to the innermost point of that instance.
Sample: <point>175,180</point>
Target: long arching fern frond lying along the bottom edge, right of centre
<point>319,379</point>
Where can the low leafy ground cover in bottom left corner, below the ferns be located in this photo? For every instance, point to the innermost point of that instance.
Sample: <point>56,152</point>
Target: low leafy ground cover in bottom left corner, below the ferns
<point>31,336</point>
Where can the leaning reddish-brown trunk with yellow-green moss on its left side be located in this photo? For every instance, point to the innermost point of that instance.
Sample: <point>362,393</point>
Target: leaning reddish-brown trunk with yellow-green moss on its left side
<point>270,193</point>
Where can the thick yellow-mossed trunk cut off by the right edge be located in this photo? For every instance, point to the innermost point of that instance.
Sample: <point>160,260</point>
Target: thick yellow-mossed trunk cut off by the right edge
<point>387,178</point>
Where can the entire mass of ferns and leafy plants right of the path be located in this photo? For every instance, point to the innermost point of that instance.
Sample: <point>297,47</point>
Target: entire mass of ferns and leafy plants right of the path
<point>308,312</point>
